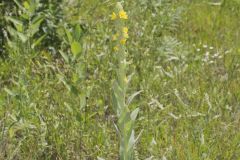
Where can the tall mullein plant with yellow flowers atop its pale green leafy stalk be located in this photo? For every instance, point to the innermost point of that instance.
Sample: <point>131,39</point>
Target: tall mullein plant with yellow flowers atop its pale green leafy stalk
<point>126,118</point>
